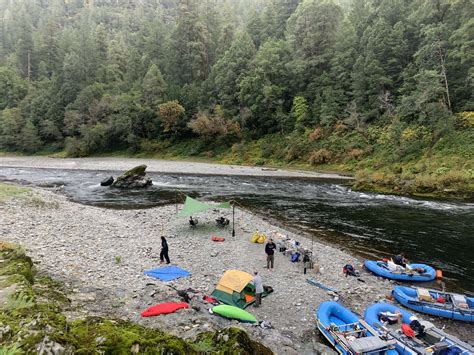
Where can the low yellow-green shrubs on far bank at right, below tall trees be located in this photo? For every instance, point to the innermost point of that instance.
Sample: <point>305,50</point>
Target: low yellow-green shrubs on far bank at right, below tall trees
<point>394,157</point>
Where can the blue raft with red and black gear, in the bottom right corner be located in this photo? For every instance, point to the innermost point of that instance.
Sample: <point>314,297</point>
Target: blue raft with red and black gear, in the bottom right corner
<point>432,341</point>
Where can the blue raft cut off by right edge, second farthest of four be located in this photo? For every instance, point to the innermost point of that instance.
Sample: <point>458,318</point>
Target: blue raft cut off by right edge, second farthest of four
<point>436,303</point>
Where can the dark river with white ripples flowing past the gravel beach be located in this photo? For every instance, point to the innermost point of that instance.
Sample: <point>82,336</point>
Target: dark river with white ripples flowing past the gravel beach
<point>439,233</point>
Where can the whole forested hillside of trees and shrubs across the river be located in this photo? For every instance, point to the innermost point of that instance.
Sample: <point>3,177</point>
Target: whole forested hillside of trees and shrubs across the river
<point>383,88</point>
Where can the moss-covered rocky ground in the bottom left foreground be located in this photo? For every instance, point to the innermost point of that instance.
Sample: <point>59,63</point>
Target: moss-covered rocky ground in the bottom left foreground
<point>32,321</point>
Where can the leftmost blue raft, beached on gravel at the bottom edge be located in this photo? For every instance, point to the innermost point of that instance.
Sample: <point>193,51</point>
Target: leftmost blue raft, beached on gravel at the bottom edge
<point>349,334</point>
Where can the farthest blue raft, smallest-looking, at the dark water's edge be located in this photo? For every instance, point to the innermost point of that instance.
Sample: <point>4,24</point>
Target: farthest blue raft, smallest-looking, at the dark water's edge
<point>380,268</point>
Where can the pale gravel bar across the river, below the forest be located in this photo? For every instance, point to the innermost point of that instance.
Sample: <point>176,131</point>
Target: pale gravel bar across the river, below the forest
<point>161,166</point>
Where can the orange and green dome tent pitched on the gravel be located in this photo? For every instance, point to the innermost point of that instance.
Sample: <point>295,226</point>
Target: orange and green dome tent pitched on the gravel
<point>234,288</point>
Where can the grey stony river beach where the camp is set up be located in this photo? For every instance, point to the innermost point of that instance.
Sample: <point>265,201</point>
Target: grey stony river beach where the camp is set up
<point>100,256</point>
